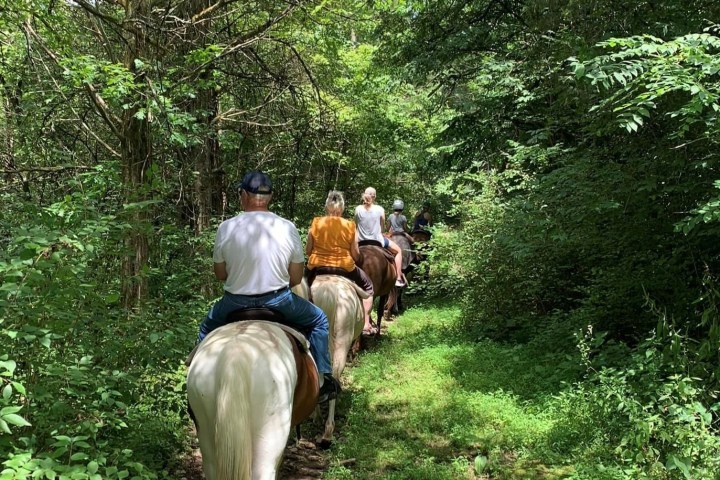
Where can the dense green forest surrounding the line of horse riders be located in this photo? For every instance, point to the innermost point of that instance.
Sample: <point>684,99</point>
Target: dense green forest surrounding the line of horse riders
<point>569,153</point>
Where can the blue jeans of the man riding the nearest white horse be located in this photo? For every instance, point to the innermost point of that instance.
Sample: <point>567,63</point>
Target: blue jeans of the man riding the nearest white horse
<point>296,310</point>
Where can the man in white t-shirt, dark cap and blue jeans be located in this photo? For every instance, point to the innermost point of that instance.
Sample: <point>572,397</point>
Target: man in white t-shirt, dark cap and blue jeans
<point>259,256</point>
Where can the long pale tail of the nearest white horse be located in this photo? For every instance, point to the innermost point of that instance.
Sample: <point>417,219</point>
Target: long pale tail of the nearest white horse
<point>233,436</point>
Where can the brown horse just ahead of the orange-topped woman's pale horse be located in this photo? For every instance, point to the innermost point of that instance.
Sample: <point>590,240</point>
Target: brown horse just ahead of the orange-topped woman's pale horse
<point>380,268</point>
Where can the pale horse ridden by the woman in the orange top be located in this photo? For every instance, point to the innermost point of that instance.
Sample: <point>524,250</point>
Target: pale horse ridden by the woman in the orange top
<point>340,299</point>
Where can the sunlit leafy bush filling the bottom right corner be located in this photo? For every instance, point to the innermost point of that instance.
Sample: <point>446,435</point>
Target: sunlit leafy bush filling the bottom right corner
<point>656,419</point>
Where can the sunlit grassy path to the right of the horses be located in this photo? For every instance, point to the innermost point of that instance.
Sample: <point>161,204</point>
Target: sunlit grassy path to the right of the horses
<point>428,403</point>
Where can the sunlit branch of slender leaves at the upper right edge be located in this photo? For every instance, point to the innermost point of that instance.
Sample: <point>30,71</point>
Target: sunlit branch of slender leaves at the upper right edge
<point>647,71</point>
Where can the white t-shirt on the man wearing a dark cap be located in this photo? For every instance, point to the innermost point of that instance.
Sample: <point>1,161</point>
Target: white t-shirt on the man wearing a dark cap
<point>257,248</point>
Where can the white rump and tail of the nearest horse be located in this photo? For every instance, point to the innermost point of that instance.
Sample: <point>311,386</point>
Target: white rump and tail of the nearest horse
<point>240,387</point>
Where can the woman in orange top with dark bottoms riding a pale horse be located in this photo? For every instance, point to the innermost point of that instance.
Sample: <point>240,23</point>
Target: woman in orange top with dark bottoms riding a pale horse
<point>332,248</point>
